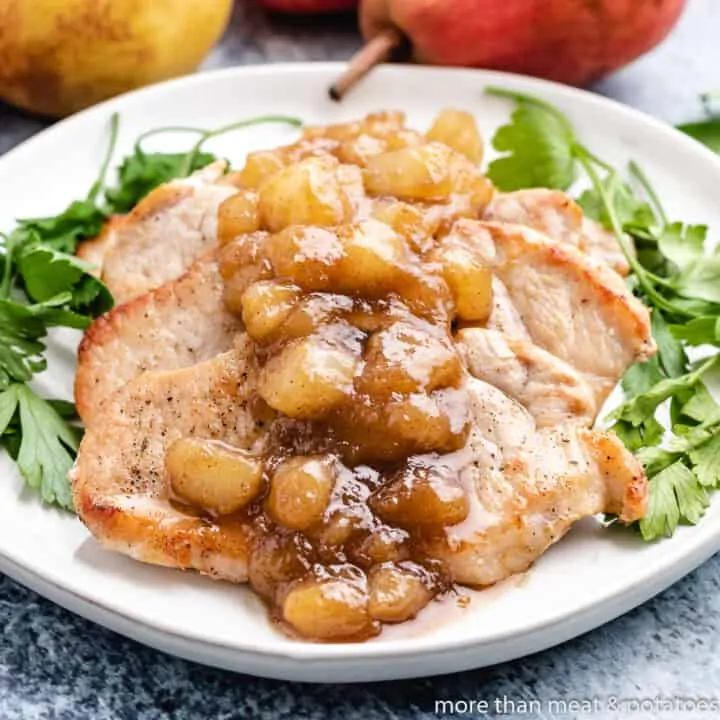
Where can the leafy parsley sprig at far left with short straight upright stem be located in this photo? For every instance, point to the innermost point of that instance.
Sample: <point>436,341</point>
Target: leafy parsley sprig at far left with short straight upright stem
<point>43,286</point>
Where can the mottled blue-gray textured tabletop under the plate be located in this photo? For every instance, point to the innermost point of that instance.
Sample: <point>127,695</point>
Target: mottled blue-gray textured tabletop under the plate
<point>55,665</point>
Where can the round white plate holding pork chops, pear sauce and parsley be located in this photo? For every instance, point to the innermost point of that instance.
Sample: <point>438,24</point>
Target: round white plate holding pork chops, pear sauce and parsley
<point>587,579</point>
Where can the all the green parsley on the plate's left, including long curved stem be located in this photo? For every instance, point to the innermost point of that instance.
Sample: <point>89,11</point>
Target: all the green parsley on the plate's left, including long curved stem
<point>43,285</point>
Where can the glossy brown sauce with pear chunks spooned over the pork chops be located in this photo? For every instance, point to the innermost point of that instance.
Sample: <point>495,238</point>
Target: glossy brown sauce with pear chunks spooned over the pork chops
<point>331,257</point>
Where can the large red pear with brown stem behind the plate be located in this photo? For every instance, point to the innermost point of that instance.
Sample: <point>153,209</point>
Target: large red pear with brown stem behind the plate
<point>571,41</point>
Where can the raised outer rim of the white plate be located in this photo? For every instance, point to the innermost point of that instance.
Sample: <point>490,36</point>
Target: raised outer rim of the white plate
<point>660,574</point>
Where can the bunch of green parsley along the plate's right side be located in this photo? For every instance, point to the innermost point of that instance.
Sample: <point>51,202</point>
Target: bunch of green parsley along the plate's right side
<point>673,272</point>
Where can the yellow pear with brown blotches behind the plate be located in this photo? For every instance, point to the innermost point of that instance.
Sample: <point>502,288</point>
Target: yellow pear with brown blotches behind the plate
<point>59,56</point>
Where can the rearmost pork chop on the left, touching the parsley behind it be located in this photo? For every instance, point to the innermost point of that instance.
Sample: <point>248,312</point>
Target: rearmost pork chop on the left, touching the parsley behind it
<point>165,233</point>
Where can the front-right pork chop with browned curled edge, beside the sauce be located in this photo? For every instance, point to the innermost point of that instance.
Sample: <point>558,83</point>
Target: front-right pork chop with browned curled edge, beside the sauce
<point>528,487</point>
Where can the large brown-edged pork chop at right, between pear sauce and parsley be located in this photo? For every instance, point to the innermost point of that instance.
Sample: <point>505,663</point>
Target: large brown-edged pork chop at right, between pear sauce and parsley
<point>571,305</point>
